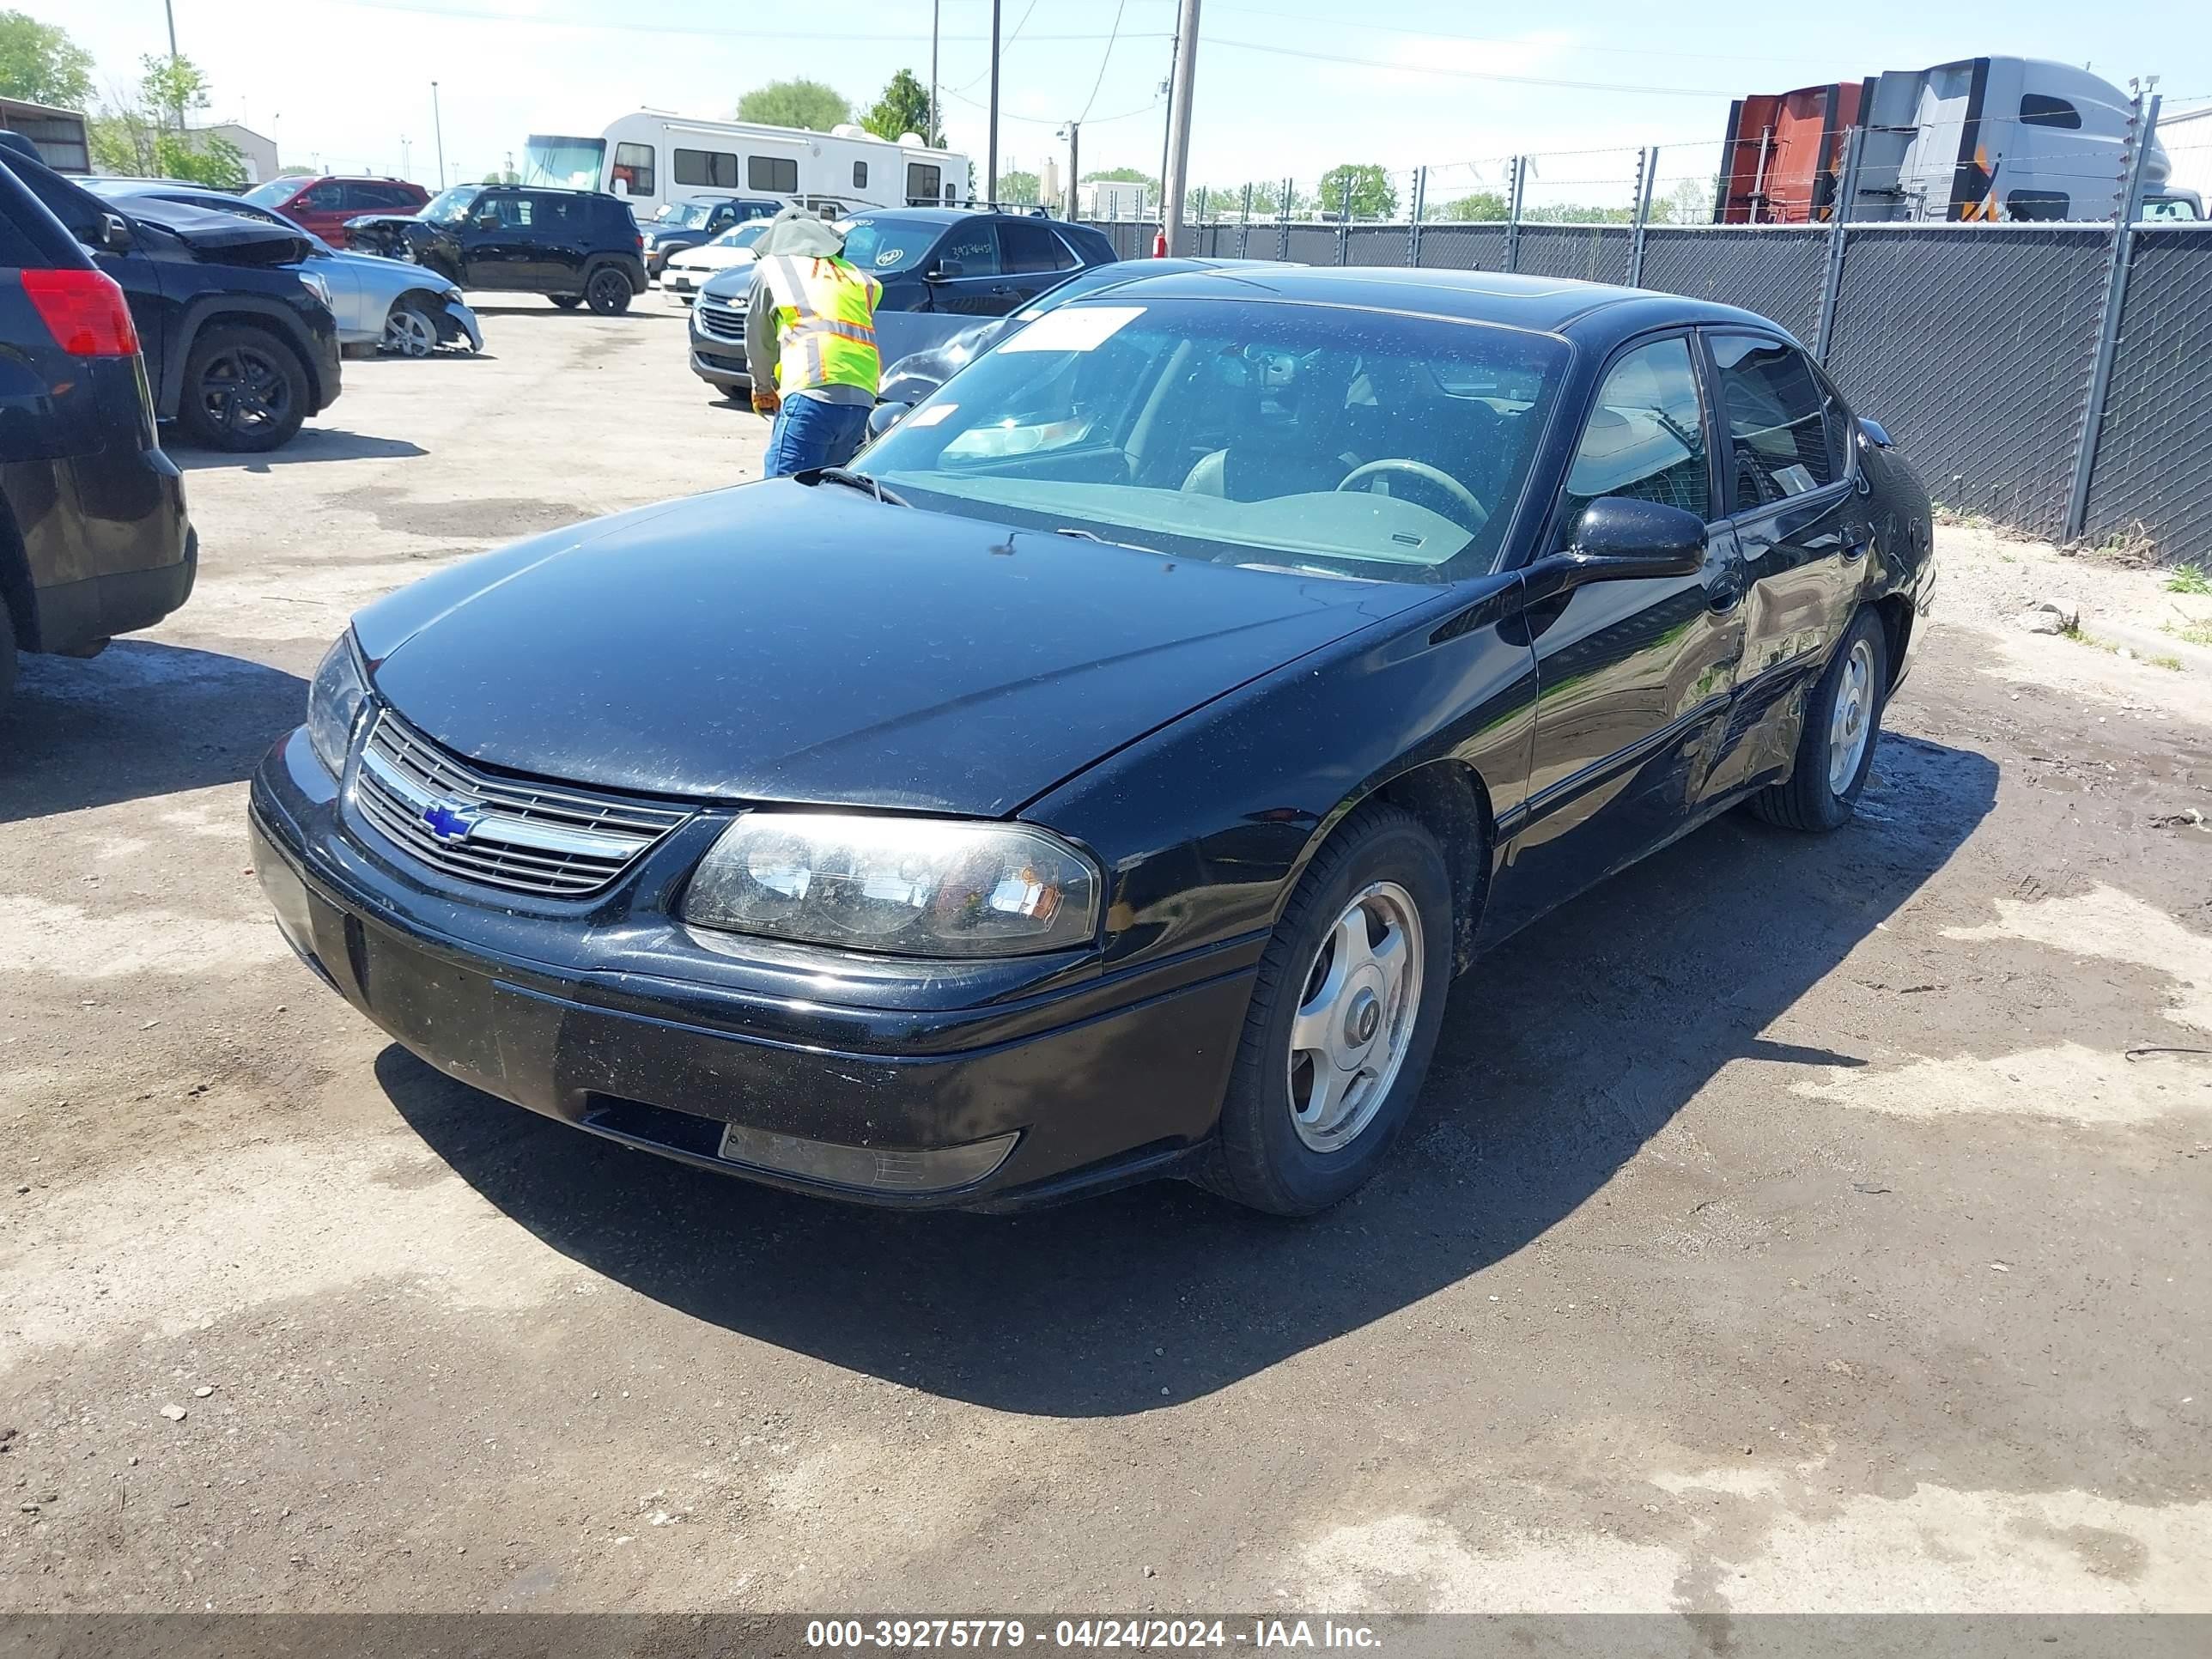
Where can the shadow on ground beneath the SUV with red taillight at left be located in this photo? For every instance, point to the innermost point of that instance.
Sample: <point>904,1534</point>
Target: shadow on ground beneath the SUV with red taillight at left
<point>136,722</point>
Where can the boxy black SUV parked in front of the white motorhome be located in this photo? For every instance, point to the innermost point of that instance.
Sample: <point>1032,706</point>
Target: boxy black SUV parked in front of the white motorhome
<point>570,244</point>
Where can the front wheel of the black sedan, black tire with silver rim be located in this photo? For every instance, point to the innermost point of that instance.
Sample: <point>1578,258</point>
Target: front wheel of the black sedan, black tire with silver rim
<point>1291,1145</point>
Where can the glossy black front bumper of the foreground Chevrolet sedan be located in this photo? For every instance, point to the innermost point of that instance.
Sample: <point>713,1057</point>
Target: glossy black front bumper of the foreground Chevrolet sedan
<point>612,1019</point>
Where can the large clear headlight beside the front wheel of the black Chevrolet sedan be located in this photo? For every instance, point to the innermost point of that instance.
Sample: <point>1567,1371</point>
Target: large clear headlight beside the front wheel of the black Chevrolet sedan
<point>897,886</point>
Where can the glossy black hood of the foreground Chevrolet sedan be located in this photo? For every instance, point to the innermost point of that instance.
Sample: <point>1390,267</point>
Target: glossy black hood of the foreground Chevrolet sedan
<point>789,643</point>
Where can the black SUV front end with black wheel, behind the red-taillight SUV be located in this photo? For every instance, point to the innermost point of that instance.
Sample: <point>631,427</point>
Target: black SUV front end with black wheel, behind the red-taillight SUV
<point>240,348</point>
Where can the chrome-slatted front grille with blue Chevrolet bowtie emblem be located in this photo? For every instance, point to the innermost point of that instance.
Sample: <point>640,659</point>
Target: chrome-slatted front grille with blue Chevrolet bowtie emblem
<point>523,837</point>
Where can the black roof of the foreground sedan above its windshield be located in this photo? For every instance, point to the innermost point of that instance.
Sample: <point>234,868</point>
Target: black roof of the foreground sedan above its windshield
<point>1543,304</point>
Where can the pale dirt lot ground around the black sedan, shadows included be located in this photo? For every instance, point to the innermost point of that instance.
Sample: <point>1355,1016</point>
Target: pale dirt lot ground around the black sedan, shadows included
<point>1791,1224</point>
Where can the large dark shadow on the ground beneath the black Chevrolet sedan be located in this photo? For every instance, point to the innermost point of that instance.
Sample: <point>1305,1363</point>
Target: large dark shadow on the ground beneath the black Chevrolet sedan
<point>1563,1054</point>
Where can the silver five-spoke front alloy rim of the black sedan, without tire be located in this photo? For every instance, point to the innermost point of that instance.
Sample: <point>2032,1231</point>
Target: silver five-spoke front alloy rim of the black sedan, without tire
<point>1355,1021</point>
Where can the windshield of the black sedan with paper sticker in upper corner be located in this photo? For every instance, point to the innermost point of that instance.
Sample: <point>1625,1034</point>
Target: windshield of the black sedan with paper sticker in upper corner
<point>1288,437</point>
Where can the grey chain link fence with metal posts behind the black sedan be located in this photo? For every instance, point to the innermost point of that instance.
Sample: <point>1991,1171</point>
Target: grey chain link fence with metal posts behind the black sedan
<point>1974,346</point>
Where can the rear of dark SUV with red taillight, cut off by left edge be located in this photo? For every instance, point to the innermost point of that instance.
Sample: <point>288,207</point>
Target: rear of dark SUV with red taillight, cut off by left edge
<point>94,539</point>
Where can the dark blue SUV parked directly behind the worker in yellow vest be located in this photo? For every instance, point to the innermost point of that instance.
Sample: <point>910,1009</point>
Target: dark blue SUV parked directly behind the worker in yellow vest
<point>930,260</point>
